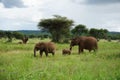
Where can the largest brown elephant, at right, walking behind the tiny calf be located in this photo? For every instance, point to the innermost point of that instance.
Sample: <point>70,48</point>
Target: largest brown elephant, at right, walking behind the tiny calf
<point>84,42</point>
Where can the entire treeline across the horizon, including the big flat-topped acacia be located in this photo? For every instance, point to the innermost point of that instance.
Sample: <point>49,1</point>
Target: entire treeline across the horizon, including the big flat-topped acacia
<point>60,29</point>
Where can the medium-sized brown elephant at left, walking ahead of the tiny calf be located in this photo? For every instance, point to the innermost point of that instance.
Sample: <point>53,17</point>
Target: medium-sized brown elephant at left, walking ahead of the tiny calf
<point>47,47</point>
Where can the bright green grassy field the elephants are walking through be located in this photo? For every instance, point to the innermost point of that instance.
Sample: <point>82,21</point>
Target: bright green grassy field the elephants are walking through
<point>17,62</point>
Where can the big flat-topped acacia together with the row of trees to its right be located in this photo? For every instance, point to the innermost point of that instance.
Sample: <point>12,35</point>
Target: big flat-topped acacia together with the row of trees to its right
<point>61,29</point>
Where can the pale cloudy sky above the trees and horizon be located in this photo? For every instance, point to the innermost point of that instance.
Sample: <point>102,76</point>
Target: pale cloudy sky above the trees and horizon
<point>25,14</point>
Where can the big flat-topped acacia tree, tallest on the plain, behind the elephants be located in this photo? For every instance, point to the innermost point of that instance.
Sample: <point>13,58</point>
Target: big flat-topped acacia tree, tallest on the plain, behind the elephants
<point>59,27</point>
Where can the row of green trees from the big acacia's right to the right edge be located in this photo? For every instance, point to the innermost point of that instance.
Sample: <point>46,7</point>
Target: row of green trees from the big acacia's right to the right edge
<point>82,30</point>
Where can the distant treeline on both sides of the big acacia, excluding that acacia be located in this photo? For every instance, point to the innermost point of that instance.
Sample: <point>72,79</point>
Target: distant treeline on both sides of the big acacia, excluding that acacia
<point>76,31</point>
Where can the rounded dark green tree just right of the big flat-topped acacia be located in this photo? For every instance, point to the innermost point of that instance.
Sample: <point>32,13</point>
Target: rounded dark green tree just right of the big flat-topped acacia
<point>79,30</point>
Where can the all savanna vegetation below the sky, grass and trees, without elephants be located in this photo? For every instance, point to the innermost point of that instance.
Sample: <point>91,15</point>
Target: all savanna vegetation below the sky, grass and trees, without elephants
<point>17,61</point>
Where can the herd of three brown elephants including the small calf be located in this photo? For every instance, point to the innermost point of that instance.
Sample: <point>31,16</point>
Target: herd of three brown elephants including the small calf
<point>83,42</point>
